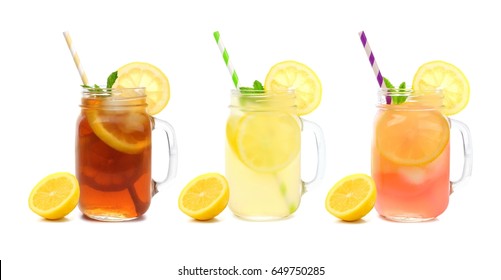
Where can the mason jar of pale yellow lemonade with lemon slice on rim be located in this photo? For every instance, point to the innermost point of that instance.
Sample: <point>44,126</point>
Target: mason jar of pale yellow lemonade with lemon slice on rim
<point>263,142</point>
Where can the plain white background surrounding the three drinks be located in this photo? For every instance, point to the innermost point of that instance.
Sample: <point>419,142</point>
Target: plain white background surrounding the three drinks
<point>40,97</point>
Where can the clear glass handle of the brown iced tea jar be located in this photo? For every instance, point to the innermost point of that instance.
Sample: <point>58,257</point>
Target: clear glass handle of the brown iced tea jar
<point>172,146</point>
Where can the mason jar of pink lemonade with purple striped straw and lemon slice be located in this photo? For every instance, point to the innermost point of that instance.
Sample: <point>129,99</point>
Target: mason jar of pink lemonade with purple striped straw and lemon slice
<point>411,140</point>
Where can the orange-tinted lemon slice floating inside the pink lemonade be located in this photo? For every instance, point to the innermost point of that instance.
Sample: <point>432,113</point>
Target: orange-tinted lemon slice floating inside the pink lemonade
<point>414,137</point>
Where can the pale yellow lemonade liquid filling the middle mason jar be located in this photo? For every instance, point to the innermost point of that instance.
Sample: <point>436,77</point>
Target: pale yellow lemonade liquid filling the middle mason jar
<point>263,156</point>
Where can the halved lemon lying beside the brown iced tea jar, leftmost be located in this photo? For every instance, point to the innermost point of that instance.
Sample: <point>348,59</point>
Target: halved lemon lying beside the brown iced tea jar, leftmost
<point>55,196</point>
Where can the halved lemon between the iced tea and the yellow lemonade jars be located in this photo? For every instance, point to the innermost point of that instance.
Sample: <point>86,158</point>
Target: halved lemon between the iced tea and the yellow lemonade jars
<point>204,197</point>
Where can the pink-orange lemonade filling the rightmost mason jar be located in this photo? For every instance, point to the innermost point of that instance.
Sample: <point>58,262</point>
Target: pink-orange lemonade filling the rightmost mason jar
<point>410,160</point>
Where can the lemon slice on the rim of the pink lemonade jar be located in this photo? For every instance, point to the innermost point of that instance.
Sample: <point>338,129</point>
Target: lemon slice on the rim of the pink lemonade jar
<point>449,79</point>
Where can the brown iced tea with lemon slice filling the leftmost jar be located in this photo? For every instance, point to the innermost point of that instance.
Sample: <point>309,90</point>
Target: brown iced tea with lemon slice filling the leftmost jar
<point>113,160</point>
